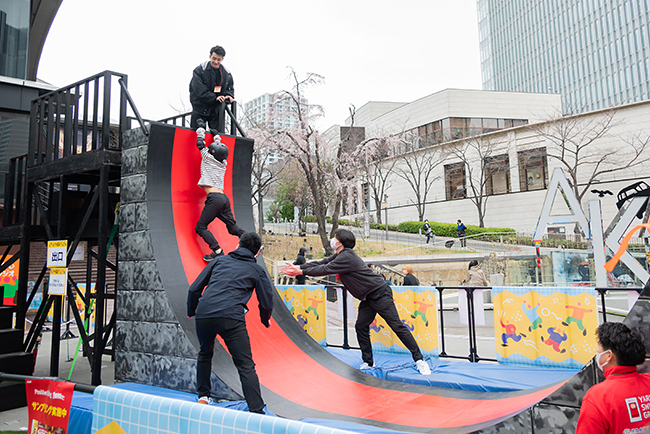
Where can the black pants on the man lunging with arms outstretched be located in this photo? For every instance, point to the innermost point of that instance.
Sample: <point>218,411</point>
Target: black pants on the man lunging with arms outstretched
<point>381,302</point>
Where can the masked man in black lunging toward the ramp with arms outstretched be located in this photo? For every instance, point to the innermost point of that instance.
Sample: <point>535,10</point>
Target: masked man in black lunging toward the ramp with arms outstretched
<point>375,294</point>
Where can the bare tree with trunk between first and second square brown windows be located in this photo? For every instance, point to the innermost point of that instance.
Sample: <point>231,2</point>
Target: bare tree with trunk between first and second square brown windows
<point>483,158</point>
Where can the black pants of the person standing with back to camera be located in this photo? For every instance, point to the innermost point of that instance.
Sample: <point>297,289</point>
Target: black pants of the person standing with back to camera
<point>234,334</point>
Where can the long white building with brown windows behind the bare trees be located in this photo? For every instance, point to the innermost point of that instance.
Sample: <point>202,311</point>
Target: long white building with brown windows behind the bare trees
<point>521,155</point>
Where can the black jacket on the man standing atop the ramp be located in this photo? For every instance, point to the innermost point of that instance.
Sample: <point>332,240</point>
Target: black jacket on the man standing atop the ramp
<point>202,95</point>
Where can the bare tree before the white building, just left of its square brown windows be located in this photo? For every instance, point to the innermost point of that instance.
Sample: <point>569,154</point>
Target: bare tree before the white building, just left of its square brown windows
<point>417,167</point>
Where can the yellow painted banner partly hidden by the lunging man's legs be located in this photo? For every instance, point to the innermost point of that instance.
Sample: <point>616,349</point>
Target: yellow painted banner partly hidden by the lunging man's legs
<point>417,308</point>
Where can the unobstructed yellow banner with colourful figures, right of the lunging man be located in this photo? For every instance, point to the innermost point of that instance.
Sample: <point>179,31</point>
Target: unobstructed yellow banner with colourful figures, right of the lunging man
<point>552,327</point>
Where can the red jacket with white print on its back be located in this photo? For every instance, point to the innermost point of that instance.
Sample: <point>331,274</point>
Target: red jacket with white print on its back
<point>620,404</point>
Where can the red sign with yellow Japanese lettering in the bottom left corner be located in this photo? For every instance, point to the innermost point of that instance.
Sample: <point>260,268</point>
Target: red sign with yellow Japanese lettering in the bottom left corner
<point>48,406</point>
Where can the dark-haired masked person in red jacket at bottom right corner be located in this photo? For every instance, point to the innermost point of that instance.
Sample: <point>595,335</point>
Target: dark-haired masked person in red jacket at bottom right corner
<point>621,403</point>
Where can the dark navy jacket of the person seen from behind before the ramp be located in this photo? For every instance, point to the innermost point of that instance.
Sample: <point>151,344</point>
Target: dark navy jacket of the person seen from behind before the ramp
<point>229,282</point>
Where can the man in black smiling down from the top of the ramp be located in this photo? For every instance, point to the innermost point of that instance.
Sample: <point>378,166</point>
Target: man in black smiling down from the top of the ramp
<point>211,85</point>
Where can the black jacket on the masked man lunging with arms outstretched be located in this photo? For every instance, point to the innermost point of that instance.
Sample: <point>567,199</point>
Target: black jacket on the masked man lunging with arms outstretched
<point>354,273</point>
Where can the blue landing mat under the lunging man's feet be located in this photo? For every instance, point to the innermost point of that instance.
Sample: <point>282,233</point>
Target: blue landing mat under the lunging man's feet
<point>463,375</point>
